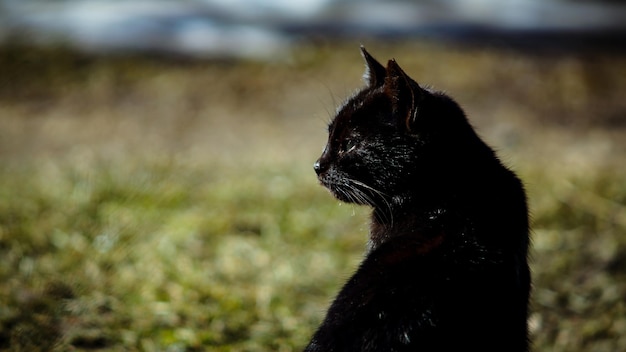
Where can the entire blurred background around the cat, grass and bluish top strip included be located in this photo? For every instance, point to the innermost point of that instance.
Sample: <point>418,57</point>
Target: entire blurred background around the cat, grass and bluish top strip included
<point>156,183</point>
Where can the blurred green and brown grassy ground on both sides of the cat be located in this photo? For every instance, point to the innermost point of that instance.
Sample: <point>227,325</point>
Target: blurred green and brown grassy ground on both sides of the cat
<point>157,206</point>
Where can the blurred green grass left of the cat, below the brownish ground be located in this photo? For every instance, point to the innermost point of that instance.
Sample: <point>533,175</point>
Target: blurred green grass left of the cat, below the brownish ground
<point>166,255</point>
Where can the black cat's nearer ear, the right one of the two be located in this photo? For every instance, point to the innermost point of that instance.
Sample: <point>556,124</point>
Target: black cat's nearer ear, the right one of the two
<point>404,92</point>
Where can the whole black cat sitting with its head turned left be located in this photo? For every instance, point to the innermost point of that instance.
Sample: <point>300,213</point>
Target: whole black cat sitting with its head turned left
<point>446,268</point>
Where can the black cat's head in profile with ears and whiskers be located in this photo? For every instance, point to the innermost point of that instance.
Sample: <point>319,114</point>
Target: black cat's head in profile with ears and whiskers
<point>385,135</point>
